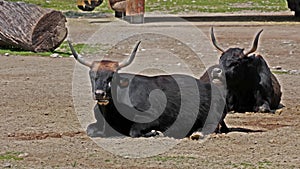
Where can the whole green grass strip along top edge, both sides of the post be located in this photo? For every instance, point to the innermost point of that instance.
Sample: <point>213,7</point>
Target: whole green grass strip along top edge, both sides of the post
<point>177,6</point>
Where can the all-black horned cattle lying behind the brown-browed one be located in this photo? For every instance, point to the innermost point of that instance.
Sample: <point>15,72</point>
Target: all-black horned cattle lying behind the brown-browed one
<point>251,86</point>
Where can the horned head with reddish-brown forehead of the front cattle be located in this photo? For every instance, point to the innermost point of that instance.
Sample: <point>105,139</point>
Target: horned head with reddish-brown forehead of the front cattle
<point>103,73</point>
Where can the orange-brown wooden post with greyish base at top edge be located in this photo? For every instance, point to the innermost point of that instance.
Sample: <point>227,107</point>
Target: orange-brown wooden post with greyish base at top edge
<point>135,9</point>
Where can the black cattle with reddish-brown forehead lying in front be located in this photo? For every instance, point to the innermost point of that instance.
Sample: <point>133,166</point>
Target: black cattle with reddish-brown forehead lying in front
<point>136,105</point>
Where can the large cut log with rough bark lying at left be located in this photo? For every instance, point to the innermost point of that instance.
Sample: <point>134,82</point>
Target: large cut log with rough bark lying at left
<point>31,27</point>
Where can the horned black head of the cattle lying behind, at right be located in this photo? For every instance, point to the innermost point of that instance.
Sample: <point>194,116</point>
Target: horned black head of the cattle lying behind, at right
<point>235,61</point>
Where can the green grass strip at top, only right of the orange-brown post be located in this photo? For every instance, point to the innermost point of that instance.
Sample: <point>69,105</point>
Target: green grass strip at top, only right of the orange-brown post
<point>177,6</point>
